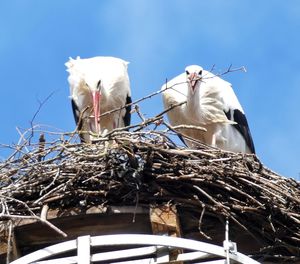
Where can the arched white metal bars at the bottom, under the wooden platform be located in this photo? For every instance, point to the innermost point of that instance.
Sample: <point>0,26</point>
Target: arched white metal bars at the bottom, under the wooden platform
<point>152,243</point>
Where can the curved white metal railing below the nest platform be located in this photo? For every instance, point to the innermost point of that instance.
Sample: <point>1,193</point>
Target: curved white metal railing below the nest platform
<point>145,249</point>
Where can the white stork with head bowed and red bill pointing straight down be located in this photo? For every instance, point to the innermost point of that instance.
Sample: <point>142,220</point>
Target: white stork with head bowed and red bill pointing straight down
<point>98,85</point>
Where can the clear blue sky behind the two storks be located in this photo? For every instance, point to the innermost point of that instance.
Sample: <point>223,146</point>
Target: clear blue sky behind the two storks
<point>159,38</point>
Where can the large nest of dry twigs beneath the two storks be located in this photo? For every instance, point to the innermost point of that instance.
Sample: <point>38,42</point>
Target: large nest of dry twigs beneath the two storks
<point>144,167</point>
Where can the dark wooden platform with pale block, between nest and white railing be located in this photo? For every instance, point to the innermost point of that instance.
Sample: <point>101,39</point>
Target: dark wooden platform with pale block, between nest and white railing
<point>168,220</point>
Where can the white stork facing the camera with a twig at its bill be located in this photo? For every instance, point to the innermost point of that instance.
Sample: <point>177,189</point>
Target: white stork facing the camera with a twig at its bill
<point>210,103</point>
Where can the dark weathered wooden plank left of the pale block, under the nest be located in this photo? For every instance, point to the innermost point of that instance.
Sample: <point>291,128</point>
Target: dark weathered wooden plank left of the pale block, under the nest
<point>79,225</point>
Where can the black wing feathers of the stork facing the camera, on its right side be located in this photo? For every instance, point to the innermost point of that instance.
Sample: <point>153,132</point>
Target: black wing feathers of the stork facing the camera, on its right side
<point>242,126</point>
